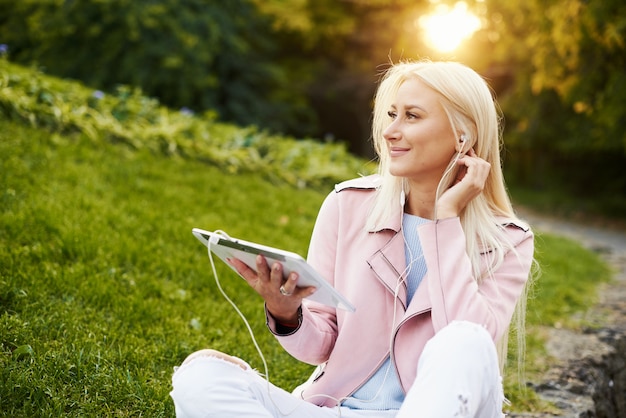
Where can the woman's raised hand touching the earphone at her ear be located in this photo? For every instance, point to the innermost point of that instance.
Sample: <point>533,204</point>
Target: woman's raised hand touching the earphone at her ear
<point>469,183</point>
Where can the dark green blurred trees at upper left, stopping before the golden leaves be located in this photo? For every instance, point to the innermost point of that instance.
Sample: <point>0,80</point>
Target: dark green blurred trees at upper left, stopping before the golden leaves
<point>188,53</point>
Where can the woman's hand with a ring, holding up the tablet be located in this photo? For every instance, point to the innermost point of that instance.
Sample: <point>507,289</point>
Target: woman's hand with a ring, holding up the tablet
<point>268,282</point>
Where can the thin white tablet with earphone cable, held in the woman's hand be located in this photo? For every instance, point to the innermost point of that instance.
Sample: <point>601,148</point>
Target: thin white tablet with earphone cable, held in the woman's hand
<point>225,247</point>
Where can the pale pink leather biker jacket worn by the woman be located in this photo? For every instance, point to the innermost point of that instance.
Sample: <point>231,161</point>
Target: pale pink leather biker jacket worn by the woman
<point>365,267</point>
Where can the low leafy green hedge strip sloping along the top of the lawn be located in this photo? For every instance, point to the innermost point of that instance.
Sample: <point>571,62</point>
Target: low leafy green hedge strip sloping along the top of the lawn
<point>140,122</point>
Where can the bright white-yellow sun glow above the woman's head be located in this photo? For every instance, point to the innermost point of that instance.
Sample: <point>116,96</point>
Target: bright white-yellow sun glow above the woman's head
<point>447,27</point>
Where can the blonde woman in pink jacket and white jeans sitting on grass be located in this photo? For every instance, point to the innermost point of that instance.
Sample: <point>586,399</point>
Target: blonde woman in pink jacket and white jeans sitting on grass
<point>429,251</point>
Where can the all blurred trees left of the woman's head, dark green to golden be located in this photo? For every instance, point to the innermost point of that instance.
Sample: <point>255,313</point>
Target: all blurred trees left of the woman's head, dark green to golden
<point>307,68</point>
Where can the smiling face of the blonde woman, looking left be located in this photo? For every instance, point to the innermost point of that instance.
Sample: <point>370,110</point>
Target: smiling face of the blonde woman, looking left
<point>420,139</point>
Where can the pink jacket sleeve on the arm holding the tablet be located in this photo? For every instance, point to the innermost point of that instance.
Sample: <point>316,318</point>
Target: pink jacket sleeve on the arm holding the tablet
<point>314,340</point>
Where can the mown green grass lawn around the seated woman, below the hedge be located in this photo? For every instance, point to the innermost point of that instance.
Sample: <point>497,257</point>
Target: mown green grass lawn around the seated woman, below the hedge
<point>103,288</point>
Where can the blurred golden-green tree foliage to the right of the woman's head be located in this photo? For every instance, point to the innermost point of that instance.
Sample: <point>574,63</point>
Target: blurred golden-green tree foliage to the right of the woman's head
<point>563,103</point>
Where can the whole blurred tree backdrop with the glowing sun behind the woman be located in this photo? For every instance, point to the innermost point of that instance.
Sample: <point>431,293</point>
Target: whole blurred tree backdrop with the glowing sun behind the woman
<point>309,69</point>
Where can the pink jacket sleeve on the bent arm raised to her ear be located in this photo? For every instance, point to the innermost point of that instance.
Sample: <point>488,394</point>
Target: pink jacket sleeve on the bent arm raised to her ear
<point>454,292</point>
